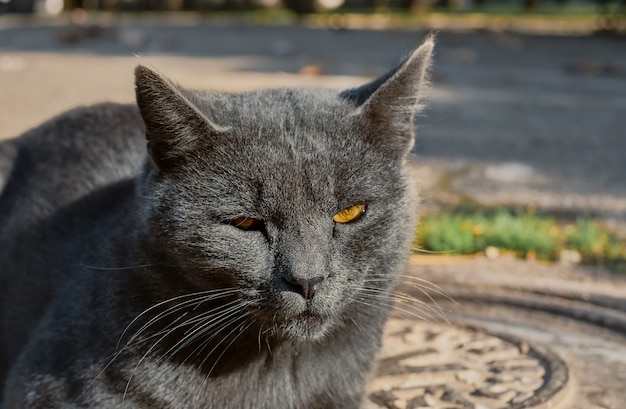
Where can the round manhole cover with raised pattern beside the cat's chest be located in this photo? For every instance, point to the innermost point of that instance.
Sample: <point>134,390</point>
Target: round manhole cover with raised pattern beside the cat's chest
<point>426,365</point>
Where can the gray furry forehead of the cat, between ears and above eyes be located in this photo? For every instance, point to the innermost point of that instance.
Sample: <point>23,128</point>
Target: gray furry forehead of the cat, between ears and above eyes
<point>285,145</point>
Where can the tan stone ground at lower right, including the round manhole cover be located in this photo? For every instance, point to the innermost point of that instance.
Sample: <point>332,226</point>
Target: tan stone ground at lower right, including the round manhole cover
<point>515,335</point>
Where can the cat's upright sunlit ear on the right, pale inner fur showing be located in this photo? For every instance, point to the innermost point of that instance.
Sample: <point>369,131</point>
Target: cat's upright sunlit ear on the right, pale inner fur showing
<point>387,105</point>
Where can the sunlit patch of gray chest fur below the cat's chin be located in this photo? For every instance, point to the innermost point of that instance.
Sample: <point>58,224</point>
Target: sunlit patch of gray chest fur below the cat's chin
<point>270,382</point>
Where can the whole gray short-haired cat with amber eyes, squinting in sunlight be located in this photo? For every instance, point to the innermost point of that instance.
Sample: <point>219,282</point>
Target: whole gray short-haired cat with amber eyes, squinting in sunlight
<point>246,261</point>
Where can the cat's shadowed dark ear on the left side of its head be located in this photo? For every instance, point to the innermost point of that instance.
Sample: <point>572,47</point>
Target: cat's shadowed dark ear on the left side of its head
<point>174,124</point>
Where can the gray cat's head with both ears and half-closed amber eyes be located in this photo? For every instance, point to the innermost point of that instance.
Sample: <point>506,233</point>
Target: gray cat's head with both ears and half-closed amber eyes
<point>295,202</point>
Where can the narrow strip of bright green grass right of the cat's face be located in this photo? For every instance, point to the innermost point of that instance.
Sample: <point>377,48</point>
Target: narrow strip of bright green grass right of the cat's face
<point>524,233</point>
